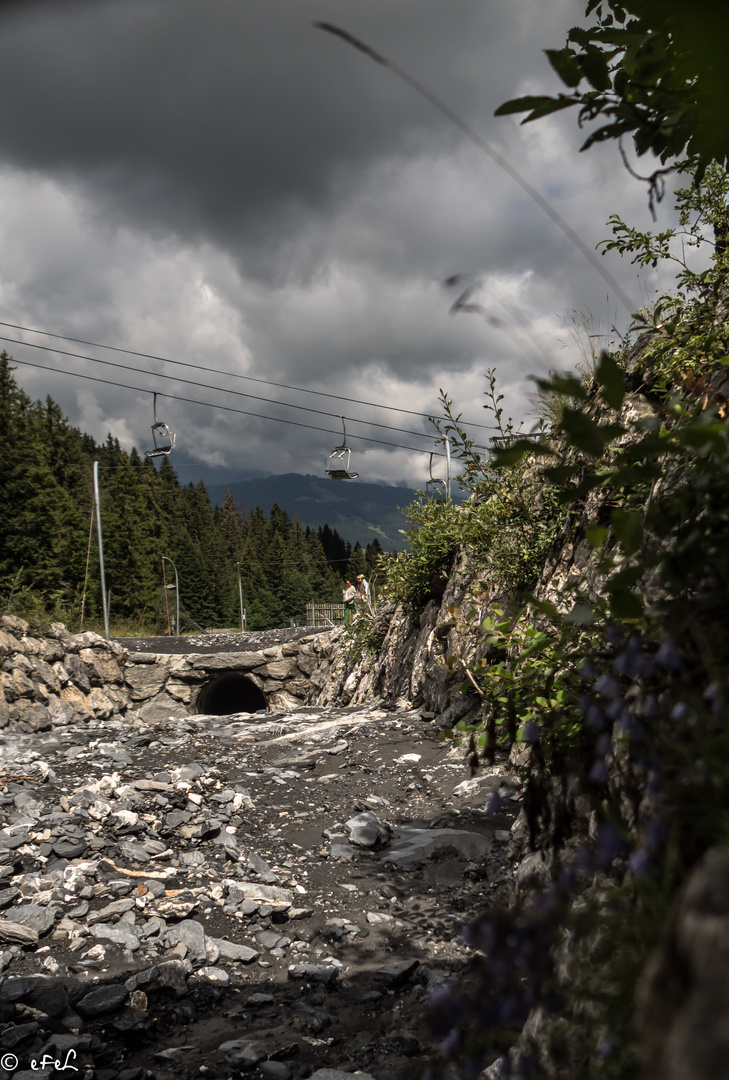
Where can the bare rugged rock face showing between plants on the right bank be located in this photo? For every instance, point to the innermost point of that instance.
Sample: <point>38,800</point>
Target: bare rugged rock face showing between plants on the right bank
<point>681,1005</point>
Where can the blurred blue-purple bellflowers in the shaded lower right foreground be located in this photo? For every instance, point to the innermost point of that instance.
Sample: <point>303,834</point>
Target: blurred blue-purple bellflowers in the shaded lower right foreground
<point>640,704</point>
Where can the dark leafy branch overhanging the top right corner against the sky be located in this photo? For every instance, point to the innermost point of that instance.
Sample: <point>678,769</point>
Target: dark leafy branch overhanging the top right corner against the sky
<point>654,71</point>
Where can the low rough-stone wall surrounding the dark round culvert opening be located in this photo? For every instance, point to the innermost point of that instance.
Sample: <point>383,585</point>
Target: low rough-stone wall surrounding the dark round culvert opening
<point>57,679</point>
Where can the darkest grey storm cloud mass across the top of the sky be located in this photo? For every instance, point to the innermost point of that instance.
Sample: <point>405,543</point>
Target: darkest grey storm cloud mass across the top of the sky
<point>234,119</point>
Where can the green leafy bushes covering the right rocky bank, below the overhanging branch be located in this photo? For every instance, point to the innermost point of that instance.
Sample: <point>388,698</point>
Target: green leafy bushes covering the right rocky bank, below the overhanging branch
<point>639,650</point>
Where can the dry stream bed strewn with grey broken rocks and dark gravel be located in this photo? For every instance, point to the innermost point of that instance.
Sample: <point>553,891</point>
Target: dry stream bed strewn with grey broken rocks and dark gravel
<point>269,895</point>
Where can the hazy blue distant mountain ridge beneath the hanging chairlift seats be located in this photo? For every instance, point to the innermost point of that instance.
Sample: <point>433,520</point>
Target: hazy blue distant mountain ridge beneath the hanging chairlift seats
<point>356,509</point>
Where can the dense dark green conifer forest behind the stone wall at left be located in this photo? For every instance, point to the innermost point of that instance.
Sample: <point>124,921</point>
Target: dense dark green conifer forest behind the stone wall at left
<point>49,553</point>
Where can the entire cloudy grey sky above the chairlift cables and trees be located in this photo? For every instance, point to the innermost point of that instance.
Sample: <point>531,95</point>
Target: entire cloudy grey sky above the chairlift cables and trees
<point>220,184</point>
